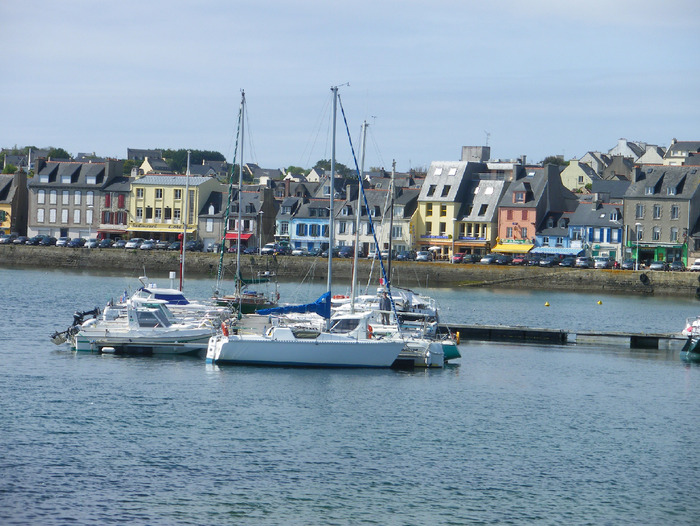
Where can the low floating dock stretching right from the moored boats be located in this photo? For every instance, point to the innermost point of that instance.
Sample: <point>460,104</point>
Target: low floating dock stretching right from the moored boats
<point>502,333</point>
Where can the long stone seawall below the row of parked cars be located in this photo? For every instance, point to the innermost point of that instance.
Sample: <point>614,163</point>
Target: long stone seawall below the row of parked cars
<point>405,274</point>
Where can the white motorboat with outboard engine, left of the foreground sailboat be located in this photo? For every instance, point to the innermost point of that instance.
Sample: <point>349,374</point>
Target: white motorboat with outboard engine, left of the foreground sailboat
<point>138,326</point>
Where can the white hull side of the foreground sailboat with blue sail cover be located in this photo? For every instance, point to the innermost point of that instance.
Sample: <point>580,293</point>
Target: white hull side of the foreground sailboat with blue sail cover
<point>301,352</point>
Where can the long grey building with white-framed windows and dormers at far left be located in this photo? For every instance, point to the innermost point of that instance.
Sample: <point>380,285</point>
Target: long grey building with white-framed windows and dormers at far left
<point>64,197</point>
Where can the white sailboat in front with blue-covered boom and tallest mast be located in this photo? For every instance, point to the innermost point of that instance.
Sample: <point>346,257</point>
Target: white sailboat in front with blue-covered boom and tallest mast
<point>346,341</point>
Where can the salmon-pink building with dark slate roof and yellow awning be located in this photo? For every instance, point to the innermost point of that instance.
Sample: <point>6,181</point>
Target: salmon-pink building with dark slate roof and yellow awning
<point>526,203</point>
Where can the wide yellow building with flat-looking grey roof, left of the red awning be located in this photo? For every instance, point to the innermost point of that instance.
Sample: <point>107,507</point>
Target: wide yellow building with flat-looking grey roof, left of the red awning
<point>158,207</point>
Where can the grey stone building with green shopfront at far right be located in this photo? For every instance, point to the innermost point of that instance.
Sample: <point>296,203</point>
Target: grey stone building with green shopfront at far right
<point>661,210</point>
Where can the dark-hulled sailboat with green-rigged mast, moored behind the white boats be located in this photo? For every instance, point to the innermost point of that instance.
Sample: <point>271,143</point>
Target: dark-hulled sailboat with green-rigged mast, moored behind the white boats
<point>245,299</point>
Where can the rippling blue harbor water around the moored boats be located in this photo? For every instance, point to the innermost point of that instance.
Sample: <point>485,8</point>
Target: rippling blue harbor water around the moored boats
<point>508,434</point>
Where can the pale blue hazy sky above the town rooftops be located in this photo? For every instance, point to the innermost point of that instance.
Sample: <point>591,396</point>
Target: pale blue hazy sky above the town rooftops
<point>525,77</point>
